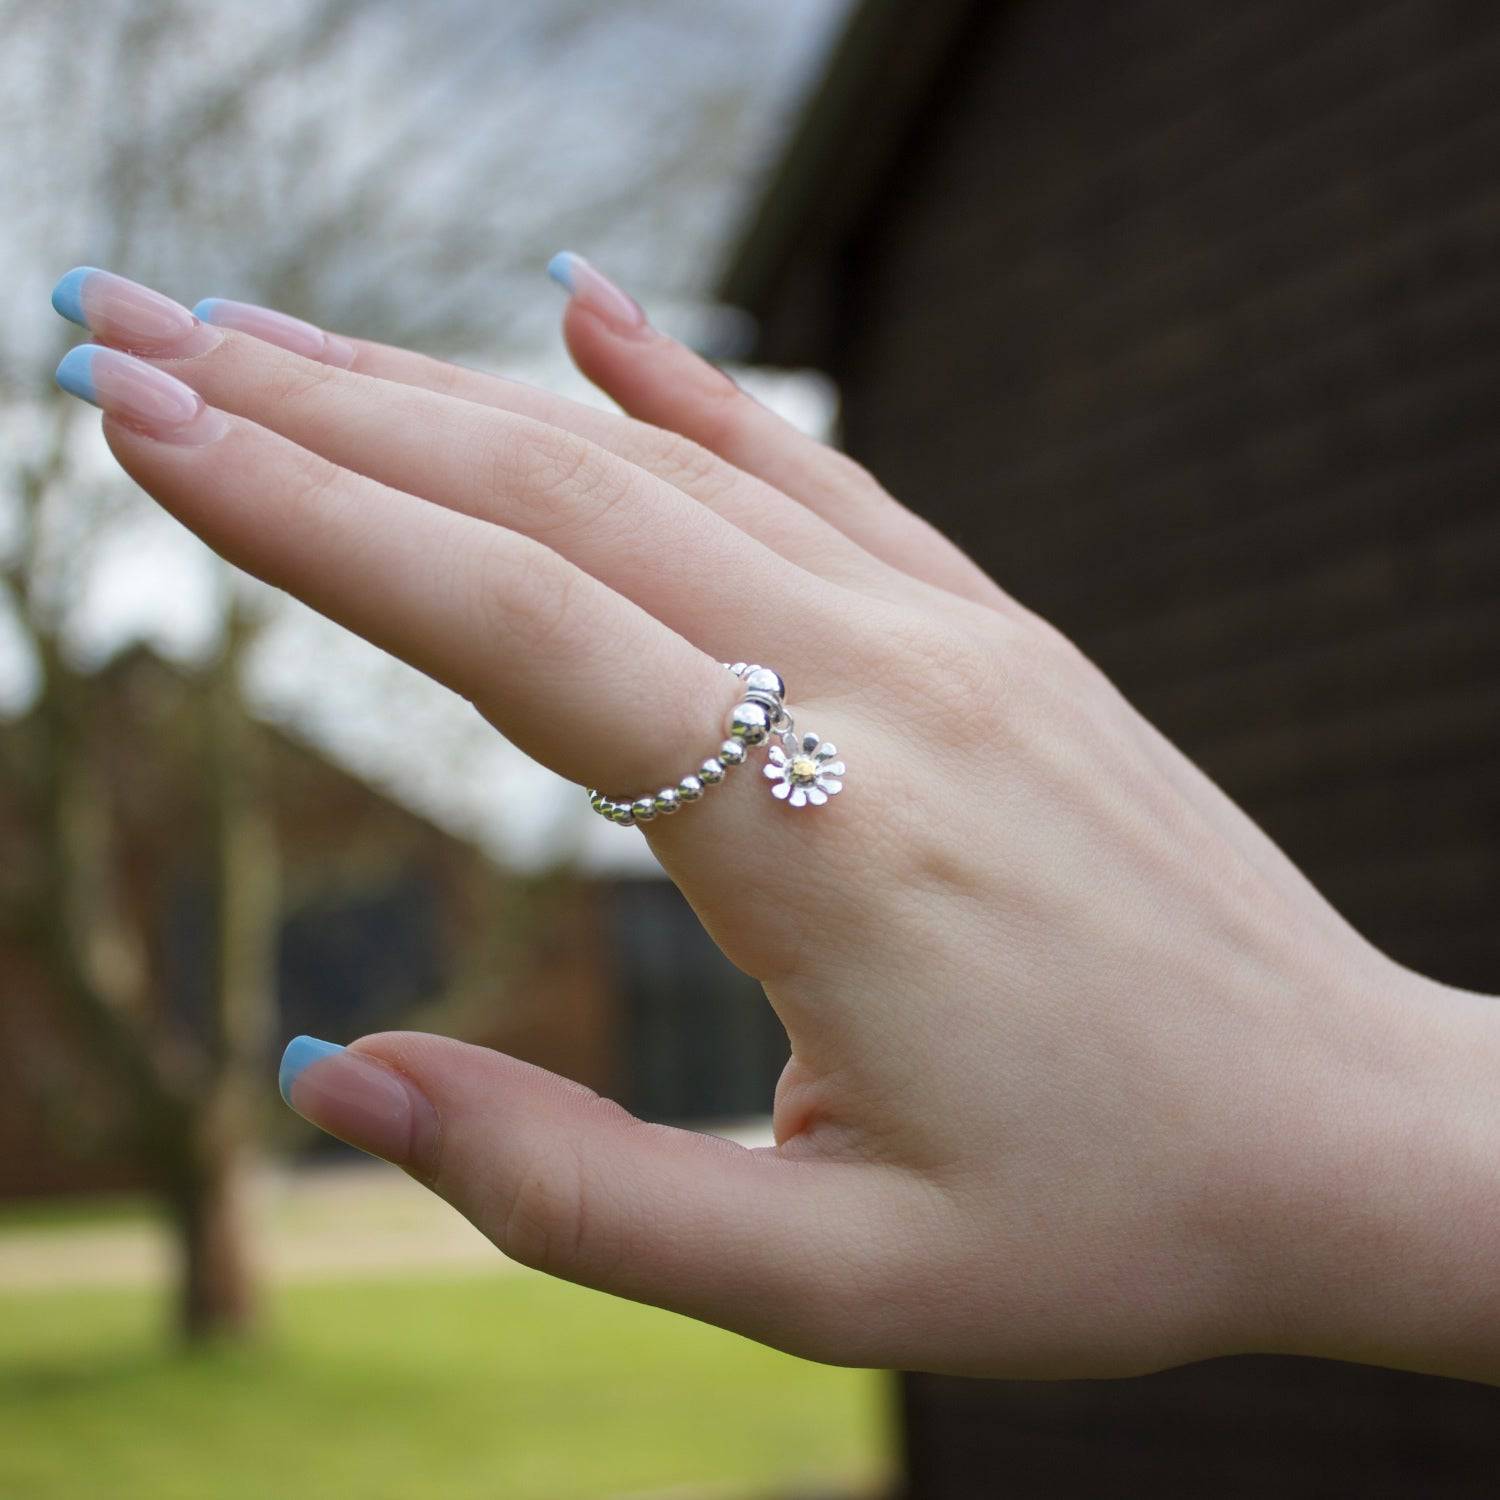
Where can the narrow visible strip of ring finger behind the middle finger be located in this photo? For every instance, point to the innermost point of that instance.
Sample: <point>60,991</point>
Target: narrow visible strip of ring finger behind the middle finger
<point>752,505</point>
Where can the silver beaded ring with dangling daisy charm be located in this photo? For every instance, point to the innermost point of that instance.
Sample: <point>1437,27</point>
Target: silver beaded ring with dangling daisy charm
<point>805,770</point>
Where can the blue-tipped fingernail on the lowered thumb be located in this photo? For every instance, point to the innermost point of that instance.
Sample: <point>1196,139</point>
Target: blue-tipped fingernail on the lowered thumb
<point>361,1100</point>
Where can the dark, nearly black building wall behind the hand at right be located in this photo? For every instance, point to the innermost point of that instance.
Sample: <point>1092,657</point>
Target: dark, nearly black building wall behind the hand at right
<point>1184,319</point>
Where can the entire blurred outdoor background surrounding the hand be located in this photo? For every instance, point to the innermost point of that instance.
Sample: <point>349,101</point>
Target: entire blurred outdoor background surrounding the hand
<point>1181,317</point>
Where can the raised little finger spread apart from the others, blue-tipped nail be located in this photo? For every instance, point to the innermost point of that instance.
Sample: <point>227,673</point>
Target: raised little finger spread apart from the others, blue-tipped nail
<point>664,383</point>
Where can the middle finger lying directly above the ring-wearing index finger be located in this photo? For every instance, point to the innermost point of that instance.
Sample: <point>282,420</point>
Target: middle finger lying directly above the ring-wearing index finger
<point>634,532</point>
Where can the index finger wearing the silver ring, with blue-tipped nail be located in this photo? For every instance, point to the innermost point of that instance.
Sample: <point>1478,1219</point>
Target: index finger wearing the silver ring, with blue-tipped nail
<point>550,655</point>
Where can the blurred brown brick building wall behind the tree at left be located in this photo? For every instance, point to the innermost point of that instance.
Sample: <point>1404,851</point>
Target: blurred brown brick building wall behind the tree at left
<point>385,922</point>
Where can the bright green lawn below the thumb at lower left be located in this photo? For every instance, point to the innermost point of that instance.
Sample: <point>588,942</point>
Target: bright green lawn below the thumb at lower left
<point>505,1387</point>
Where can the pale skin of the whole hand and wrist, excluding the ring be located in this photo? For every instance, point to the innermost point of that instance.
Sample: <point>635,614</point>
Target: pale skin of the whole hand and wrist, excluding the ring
<point>1087,1078</point>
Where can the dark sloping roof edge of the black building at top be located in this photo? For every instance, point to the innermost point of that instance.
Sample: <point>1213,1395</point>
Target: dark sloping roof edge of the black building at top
<point>857,119</point>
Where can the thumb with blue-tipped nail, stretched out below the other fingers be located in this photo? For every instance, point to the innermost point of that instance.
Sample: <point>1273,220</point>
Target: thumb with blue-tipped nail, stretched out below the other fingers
<point>569,1183</point>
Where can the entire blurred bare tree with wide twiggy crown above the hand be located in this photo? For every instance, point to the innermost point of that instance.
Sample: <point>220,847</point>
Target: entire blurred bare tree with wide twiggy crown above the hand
<point>373,167</point>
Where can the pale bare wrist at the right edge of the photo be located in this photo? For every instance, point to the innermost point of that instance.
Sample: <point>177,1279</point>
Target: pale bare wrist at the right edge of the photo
<point>1381,1229</point>
